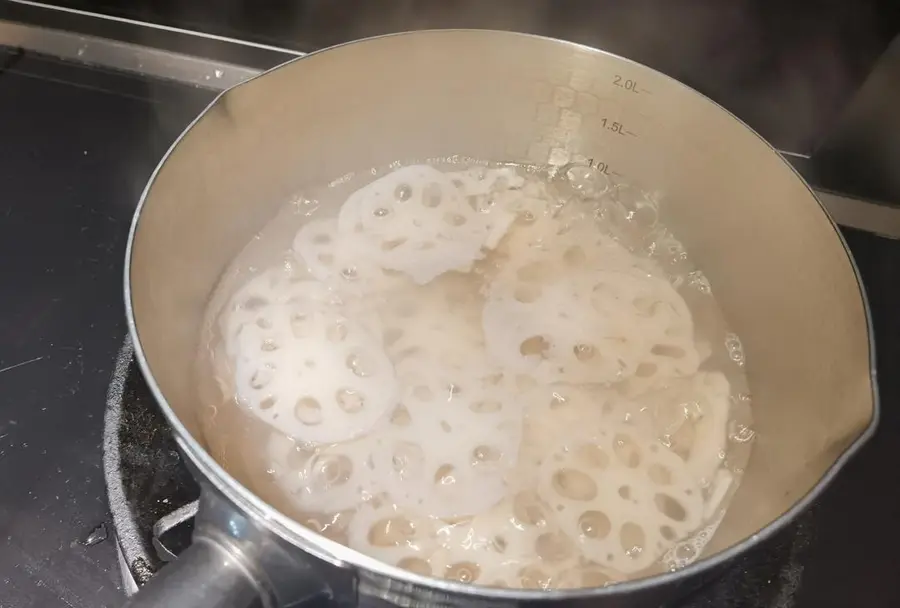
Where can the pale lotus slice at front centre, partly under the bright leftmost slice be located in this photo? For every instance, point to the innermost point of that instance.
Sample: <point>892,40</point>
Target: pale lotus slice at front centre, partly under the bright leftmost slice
<point>452,449</point>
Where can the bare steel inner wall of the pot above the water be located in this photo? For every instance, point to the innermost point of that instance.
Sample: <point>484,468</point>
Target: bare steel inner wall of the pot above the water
<point>774,259</point>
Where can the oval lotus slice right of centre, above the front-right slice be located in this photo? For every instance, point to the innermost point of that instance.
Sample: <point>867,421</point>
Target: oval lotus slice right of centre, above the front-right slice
<point>592,326</point>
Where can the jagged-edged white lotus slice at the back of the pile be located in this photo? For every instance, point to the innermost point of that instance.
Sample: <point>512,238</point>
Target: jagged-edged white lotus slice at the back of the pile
<point>420,223</point>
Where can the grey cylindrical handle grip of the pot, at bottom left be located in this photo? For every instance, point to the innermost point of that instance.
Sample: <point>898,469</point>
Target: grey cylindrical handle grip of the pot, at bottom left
<point>205,575</point>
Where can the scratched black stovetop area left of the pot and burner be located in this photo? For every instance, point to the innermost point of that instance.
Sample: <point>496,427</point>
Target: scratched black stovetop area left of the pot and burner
<point>76,146</point>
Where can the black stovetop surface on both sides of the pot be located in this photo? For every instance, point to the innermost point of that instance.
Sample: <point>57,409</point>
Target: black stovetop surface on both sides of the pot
<point>76,146</point>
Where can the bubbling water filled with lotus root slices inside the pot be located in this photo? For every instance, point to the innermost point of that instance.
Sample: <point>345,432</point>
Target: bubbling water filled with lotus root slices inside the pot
<point>502,375</point>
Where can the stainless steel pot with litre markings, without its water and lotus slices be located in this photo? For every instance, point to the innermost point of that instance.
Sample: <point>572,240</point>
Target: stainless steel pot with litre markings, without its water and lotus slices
<point>777,263</point>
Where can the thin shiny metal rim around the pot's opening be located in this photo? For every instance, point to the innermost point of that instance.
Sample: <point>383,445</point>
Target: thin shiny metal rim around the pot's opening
<point>343,556</point>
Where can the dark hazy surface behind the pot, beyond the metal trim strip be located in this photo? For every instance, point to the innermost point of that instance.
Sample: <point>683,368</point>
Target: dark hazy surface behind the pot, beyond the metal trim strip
<point>786,71</point>
